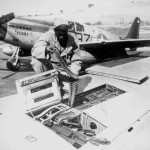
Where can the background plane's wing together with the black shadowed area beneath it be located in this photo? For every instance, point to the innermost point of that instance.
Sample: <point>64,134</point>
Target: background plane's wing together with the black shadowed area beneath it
<point>112,48</point>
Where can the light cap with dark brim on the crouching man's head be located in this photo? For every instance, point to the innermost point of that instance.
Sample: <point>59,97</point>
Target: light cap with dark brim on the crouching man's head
<point>61,25</point>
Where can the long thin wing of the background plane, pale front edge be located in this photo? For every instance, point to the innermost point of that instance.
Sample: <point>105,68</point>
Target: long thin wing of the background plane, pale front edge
<point>116,44</point>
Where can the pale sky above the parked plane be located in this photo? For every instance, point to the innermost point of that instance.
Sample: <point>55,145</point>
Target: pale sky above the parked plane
<point>77,8</point>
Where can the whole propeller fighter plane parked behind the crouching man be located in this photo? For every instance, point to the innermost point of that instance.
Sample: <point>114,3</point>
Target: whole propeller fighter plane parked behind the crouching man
<point>95,44</point>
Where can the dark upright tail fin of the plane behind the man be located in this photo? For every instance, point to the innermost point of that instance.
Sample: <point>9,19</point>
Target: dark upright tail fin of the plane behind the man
<point>134,30</point>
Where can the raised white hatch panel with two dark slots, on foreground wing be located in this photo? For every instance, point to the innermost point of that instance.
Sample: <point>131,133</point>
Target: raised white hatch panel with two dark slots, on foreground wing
<point>40,90</point>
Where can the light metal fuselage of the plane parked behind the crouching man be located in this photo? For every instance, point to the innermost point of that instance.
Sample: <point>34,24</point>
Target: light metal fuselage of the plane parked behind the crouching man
<point>25,31</point>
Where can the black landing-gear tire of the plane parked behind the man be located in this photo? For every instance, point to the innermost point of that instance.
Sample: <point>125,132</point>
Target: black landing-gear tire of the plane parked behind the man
<point>10,64</point>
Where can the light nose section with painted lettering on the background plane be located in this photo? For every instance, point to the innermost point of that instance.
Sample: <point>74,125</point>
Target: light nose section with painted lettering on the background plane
<point>24,33</point>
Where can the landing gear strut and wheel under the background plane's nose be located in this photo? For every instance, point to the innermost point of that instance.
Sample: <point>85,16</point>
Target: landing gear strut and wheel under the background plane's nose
<point>13,62</point>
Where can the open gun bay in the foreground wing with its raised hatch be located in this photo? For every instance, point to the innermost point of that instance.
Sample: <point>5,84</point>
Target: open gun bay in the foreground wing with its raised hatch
<point>44,102</point>
